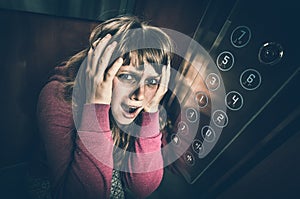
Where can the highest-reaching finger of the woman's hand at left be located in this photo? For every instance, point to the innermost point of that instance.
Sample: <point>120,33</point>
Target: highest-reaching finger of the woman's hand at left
<point>98,52</point>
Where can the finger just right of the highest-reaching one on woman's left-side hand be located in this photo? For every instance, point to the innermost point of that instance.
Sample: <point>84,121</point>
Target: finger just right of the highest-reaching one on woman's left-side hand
<point>104,60</point>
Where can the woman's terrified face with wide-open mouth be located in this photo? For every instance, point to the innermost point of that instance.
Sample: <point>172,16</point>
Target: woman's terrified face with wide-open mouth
<point>133,88</point>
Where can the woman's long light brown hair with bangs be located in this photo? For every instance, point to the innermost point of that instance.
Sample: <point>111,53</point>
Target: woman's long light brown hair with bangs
<point>134,37</point>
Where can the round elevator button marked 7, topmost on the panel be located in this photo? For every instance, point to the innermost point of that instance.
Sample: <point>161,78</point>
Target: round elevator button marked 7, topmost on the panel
<point>240,36</point>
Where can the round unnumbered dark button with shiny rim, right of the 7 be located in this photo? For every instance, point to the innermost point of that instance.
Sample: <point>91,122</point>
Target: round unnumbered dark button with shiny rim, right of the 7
<point>270,53</point>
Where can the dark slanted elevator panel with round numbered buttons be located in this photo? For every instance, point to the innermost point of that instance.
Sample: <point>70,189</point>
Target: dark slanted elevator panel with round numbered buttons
<point>254,62</point>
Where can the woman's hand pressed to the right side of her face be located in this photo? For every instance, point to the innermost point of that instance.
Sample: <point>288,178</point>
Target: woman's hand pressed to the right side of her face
<point>152,106</point>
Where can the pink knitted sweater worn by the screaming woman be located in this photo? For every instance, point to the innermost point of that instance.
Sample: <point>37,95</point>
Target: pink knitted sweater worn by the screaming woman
<point>75,155</point>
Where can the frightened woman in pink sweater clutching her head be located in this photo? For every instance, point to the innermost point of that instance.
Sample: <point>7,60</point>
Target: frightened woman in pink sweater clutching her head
<point>108,93</point>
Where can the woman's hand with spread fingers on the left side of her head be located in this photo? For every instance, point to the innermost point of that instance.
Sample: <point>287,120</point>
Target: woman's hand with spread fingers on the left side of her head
<point>98,84</point>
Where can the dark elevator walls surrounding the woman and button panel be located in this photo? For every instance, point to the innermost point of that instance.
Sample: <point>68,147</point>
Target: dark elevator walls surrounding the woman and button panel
<point>34,39</point>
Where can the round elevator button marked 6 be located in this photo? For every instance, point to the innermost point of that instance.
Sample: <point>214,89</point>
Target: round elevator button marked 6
<point>250,79</point>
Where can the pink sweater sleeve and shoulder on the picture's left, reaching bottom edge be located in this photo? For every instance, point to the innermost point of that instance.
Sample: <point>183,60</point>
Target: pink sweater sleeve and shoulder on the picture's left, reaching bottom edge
<point>75,172</point>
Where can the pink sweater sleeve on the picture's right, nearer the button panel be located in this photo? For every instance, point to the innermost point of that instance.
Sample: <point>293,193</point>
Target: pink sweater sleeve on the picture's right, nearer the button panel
<point>146,164</point>
